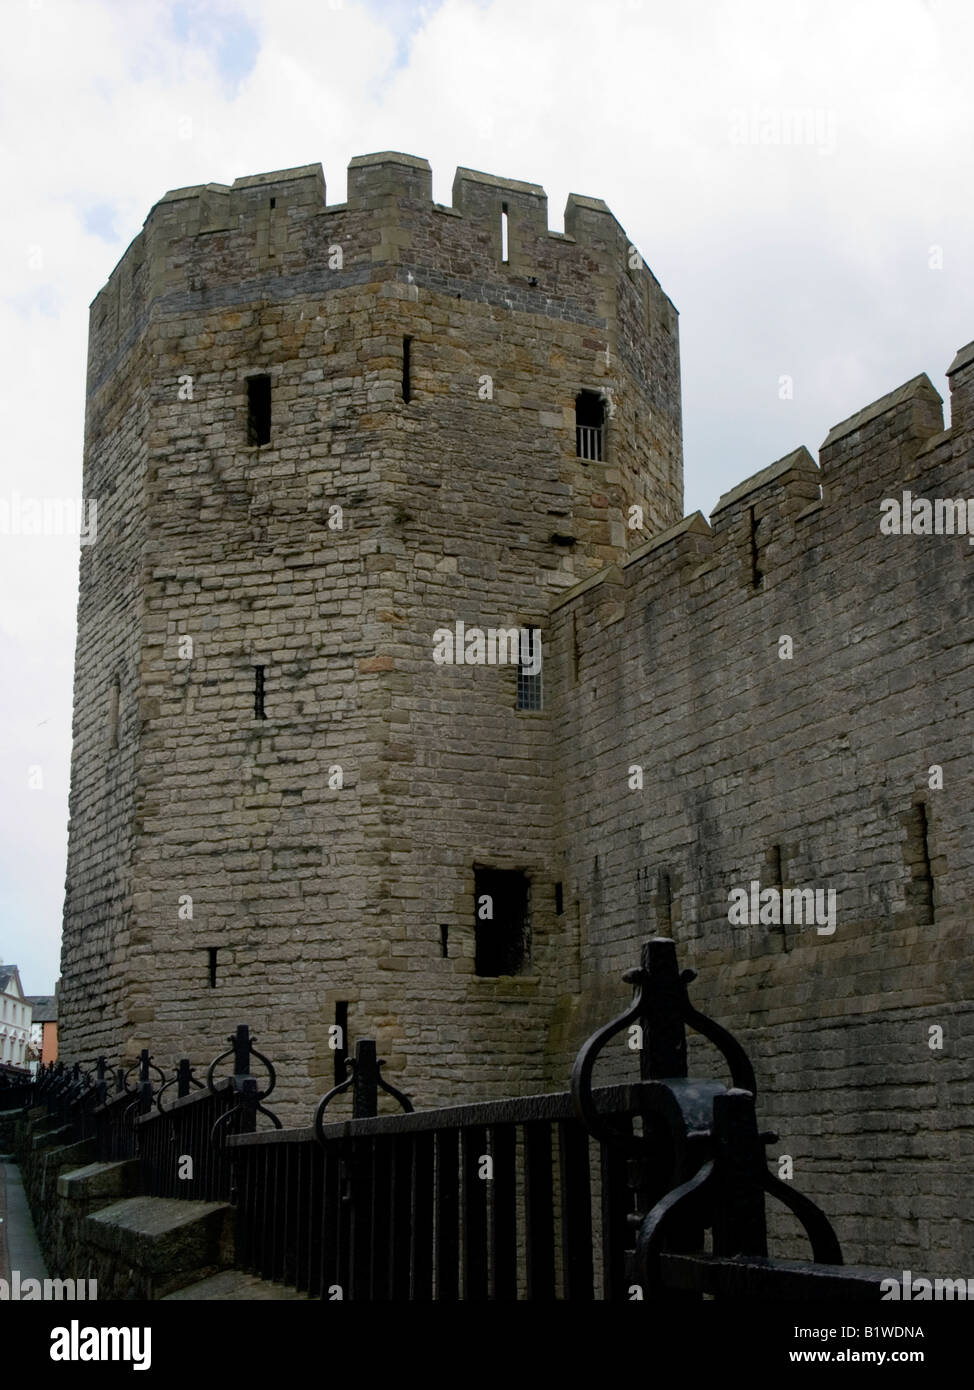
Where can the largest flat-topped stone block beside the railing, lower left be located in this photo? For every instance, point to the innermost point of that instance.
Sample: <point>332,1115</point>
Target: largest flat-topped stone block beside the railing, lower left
<point>147,1248</point>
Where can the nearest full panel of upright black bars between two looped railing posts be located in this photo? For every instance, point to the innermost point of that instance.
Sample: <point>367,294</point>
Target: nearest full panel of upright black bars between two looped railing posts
<point>498,1200</point>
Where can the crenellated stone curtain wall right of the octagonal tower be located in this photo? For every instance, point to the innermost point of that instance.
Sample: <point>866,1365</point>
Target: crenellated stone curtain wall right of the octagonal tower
<point>819,771</point>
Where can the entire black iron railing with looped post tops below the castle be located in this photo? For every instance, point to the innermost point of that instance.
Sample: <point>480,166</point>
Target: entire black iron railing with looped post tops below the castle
<point>648,1191</point>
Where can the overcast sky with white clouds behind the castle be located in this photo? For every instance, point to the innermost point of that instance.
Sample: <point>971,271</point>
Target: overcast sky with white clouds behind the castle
<point>840,261</point>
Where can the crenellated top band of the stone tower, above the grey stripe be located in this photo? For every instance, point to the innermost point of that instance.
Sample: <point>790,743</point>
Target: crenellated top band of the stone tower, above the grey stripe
<point>273,234</point>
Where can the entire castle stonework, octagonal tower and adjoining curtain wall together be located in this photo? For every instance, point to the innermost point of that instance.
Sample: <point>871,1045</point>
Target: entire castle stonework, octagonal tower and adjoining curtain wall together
<point>322,433</point>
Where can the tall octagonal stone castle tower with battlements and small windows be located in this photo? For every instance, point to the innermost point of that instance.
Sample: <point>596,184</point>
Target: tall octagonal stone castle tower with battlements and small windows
<point>317,434</point>
